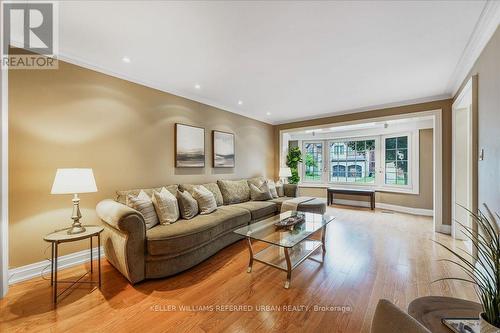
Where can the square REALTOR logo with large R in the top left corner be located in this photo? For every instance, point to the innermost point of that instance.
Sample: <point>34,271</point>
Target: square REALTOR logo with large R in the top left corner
<point>29,32</point>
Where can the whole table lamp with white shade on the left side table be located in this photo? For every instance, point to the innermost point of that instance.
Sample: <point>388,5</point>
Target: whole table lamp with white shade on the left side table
<point>74,181</point>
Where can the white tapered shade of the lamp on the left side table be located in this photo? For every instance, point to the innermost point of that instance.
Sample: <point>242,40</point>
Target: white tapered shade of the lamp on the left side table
<point>73,181</point>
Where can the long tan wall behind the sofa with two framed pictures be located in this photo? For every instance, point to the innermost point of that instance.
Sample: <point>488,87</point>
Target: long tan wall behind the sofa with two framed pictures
<point>74,117</point>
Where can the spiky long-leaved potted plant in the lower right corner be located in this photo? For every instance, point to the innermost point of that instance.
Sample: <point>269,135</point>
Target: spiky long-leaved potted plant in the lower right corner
<point>483,270</point>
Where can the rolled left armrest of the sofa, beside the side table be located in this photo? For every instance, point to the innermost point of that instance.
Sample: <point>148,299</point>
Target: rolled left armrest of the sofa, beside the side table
<point>124,238</point>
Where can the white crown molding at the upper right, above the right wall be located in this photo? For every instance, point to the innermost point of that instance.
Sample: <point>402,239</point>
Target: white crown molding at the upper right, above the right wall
<point>486,26</point>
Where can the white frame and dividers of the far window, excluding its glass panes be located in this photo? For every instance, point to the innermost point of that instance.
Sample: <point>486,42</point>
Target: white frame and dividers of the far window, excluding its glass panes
<point>413,163</point>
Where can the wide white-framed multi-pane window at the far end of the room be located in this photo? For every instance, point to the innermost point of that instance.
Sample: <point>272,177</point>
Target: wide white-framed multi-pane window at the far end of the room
<point>383,162</point>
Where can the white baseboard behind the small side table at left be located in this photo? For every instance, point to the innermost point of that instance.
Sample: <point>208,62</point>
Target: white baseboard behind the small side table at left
<point>30,271</point>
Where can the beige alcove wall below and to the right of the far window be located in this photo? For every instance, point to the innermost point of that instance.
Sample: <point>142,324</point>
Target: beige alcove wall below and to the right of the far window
<point>423,200</point>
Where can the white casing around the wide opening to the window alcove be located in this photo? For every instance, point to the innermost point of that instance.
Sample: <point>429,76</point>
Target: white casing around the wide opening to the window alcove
<point>438,155</point>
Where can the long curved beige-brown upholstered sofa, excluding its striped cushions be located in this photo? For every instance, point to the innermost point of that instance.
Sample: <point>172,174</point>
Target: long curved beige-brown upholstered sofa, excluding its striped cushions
<point>165,250</point>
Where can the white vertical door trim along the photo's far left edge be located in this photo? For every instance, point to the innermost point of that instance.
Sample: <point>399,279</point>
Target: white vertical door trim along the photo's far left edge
<point>4,183</point>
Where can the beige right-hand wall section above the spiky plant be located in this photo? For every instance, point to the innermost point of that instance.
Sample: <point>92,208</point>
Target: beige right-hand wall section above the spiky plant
<point>487,69</point>
